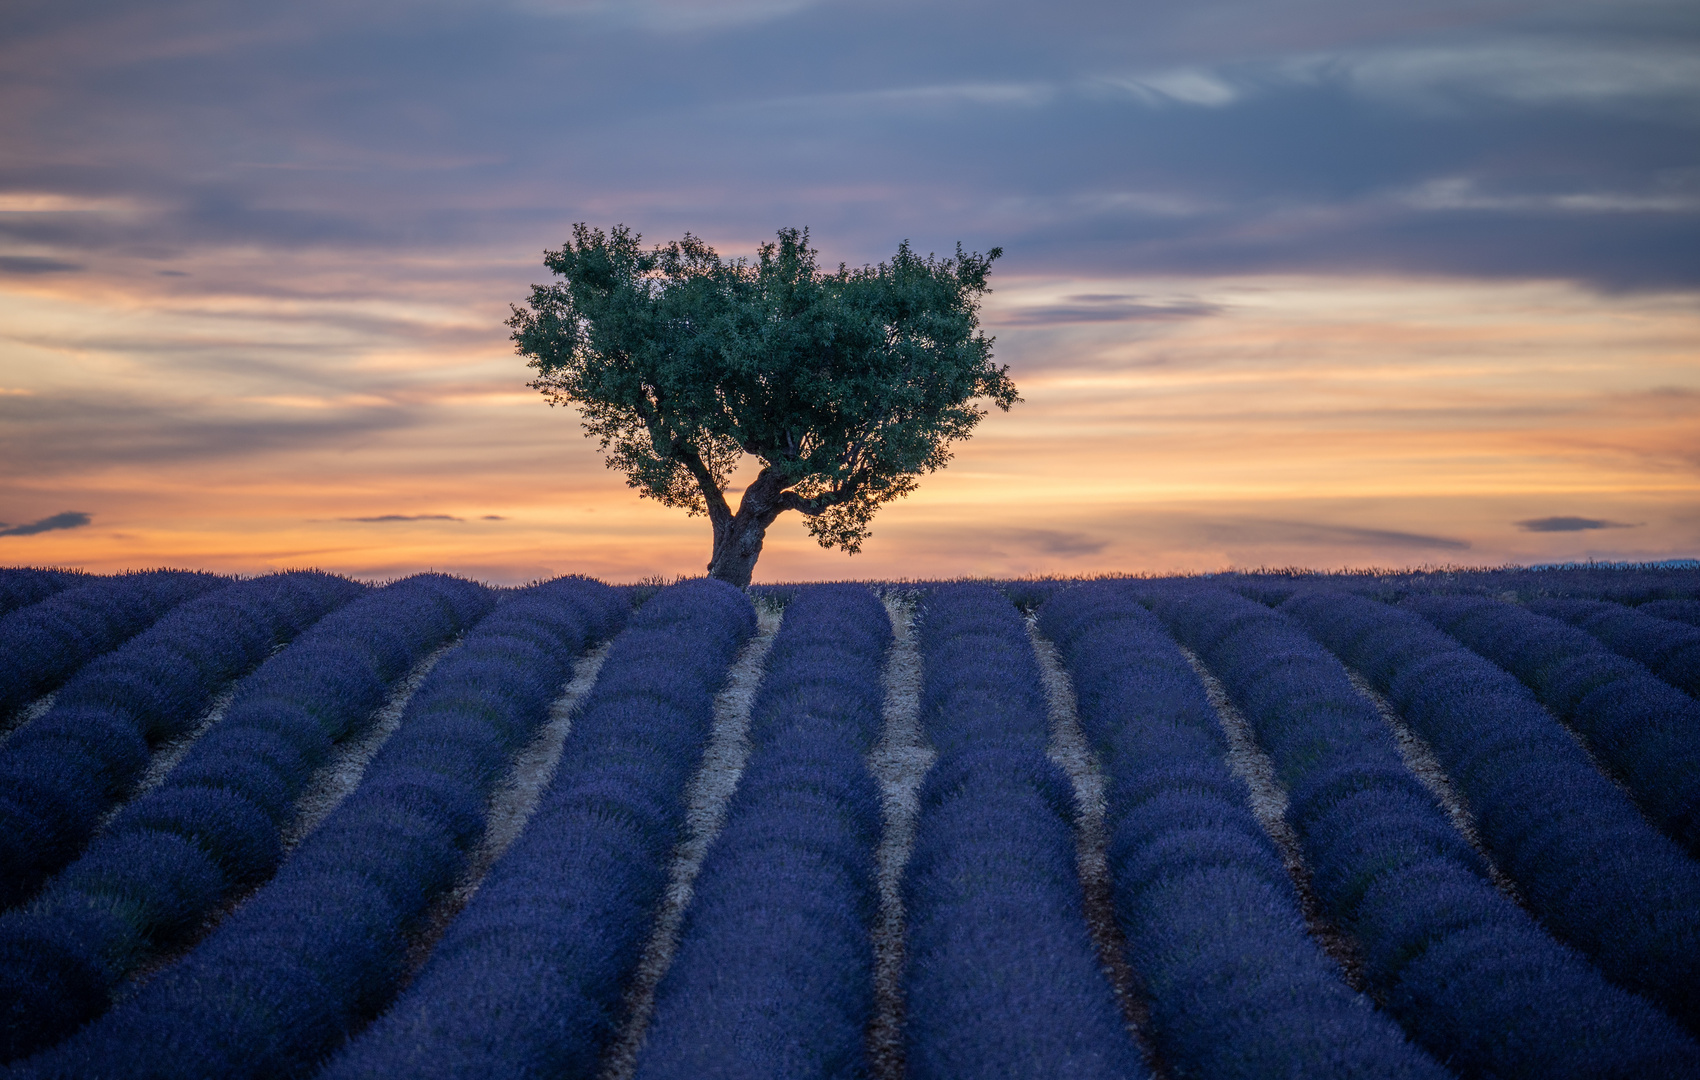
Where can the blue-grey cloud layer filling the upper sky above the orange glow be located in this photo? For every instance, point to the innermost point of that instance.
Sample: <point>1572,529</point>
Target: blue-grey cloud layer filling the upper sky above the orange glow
<point>1298,137</point>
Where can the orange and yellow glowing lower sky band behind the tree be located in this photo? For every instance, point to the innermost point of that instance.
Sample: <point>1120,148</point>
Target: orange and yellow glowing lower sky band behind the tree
<point>1283,421</point>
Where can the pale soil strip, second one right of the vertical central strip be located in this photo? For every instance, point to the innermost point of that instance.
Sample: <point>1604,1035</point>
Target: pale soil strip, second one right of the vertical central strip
<point>1269,804</point>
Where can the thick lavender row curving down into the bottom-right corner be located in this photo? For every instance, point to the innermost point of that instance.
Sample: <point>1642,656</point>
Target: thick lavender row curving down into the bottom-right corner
<point>1465,970</point>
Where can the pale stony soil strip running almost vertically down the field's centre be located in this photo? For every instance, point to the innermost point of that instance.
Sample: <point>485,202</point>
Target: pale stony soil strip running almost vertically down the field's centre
<point>898,763</point>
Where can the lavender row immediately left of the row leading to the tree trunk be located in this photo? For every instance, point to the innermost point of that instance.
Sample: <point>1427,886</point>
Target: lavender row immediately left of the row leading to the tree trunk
<point>280,984</point>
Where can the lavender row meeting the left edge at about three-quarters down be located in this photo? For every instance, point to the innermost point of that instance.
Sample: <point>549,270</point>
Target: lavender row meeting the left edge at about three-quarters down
<point>67,770</point>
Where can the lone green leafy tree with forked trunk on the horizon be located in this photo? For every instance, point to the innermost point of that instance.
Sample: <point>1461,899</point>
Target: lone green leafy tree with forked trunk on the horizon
<point>846,387</point>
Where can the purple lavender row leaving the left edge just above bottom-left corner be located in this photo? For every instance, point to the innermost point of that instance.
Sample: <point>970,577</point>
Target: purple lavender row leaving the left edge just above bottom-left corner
<point>213,827</point>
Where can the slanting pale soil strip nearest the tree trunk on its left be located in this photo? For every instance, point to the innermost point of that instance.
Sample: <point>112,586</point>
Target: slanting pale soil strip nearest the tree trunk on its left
<point>511,807</point>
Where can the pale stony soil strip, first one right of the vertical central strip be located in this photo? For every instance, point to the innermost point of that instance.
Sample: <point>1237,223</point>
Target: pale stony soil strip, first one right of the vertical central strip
<point>1068,749</point>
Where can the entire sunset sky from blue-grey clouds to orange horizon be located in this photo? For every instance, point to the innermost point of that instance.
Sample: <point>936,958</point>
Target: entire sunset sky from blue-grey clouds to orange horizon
<point>1286,283</point>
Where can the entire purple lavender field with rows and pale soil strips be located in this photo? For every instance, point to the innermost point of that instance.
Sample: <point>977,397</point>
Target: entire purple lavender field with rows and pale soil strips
<point>1242,826</point>
